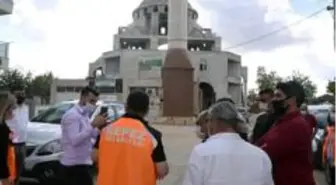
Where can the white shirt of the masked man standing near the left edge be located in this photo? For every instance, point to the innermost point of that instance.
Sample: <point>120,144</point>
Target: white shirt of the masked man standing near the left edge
<point>18,125</point>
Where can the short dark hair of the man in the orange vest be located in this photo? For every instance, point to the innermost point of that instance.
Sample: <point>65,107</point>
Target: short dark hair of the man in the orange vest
<point>138,101</point>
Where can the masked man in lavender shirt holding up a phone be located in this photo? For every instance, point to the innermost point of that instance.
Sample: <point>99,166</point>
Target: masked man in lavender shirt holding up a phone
<point>78,135</point>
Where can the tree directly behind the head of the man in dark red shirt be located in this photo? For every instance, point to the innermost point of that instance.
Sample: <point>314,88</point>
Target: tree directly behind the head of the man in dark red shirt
<point>309,87</point>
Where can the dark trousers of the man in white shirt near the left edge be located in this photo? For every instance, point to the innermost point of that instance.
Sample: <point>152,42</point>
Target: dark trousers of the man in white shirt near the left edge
<point>20,155</point>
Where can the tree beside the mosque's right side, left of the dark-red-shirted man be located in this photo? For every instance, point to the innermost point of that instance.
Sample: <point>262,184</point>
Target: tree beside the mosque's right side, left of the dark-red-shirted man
<point>267,79</point>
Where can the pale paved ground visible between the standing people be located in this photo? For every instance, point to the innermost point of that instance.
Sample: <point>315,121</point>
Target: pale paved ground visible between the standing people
<point>179,141</point>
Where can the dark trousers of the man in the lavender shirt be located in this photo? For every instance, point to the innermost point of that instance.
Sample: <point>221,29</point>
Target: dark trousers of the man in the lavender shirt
<point>77,175</point>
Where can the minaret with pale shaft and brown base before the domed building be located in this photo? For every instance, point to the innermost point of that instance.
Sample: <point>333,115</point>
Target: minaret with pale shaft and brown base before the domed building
<point>177,72</point>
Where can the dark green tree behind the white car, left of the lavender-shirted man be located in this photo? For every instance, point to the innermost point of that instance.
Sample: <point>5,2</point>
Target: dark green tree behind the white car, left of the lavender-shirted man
<point>40,86</point>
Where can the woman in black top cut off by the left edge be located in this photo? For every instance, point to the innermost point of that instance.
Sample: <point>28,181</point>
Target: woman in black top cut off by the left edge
<point>7,159</point>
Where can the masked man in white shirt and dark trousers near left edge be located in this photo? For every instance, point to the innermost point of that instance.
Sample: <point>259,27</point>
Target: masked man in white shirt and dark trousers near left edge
<point>18,126</point>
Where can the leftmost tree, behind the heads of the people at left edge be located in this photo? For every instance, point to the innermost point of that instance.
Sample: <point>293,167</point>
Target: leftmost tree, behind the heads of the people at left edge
<point>14,78</point>
